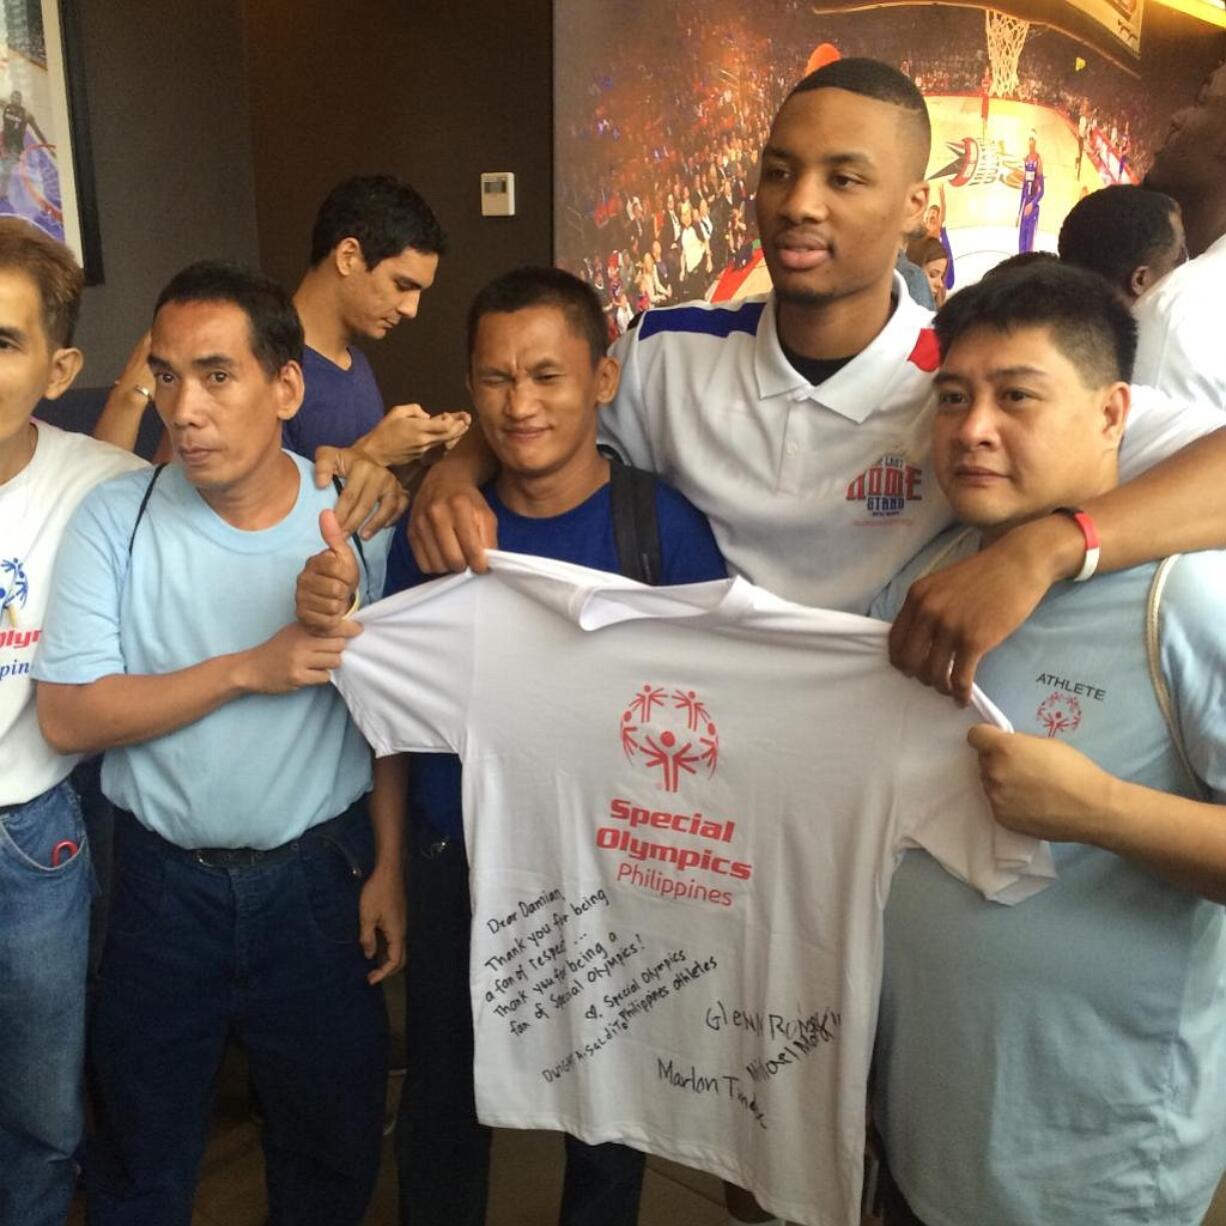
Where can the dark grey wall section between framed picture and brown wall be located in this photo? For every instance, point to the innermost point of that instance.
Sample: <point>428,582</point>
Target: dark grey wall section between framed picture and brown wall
<point>172,158</point>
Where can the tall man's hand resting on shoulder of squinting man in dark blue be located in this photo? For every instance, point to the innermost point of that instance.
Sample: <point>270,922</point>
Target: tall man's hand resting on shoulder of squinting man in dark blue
<point>451,525</point>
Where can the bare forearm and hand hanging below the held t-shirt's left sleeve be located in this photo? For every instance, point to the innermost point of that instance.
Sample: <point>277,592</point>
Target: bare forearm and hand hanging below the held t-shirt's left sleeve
<point>382,907</point>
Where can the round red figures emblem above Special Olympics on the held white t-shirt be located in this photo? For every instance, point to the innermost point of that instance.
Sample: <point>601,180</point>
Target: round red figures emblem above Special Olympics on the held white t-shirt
<point>670,731</point>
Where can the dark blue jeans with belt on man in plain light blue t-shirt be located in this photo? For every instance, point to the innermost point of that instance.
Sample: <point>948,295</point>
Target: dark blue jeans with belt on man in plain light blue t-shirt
<point>267,953</point>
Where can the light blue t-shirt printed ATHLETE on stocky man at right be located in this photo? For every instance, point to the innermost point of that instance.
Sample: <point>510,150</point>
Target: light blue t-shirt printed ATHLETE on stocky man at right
<point>1064,1062</point>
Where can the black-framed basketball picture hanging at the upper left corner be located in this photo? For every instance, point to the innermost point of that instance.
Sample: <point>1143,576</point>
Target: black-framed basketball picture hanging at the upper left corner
<point>46,173</point>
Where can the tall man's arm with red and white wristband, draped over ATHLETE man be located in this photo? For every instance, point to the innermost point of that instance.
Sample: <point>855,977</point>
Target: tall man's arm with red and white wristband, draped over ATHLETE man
<point>952,620</point>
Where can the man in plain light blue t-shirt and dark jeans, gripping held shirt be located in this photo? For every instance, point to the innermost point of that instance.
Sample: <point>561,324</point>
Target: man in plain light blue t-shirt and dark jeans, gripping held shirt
<point>251,878</point>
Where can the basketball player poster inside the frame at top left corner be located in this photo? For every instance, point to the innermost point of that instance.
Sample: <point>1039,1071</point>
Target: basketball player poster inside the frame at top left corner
<point>37,167</point>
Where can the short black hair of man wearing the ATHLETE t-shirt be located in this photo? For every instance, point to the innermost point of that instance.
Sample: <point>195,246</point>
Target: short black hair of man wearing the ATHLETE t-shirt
<point>1088,318</point>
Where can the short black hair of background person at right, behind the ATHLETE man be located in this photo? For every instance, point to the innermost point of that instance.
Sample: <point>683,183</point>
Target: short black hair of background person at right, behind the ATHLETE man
<point>1117,230</point>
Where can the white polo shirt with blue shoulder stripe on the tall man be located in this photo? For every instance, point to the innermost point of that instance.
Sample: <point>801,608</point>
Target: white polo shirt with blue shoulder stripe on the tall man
<point>818,493</point>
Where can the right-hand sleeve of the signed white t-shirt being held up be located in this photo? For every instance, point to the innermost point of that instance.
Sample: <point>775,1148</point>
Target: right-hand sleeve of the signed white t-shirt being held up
<point>942,809</point>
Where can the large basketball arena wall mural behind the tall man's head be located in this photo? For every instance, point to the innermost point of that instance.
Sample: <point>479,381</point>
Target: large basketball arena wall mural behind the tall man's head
<point>663,106</point>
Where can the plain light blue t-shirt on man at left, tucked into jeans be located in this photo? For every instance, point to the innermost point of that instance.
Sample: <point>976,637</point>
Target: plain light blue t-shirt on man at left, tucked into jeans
<point>259,771</point>
